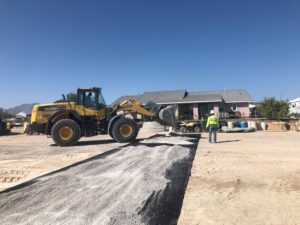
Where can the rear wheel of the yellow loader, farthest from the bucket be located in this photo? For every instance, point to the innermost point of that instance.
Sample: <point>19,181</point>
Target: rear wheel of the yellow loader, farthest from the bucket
<point>66,132</point>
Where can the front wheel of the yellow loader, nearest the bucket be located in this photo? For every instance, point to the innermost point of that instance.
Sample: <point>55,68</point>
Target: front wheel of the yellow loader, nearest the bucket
<point>125,130</point>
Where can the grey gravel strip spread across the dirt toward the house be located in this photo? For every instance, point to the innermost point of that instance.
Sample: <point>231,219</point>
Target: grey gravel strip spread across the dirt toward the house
<point>132,185</point>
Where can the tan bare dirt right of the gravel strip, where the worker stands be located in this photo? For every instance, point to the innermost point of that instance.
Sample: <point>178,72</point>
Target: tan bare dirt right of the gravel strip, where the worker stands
<point>246,178</point>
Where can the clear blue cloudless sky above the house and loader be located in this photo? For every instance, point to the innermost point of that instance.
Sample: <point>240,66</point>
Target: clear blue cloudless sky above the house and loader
<point>49,47</point>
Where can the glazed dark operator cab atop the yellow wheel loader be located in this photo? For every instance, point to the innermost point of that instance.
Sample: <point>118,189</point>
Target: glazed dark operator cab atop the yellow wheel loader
<point>90,98</point>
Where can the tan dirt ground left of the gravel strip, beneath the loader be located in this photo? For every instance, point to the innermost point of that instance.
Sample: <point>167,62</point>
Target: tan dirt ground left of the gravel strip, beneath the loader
<point>23,157</point>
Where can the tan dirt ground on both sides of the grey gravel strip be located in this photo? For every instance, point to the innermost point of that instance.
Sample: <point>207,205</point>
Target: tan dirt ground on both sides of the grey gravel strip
<point>246,178</point>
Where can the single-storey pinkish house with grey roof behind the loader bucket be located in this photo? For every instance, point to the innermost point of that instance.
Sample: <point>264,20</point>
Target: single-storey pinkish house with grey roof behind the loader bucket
<point>194,105</point>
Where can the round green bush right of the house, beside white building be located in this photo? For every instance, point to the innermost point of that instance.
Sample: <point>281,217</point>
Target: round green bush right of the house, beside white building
<point>273,109</point>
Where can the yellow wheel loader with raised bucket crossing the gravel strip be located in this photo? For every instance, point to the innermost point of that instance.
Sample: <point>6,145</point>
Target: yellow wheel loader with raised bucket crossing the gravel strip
<point>66,121</point>
